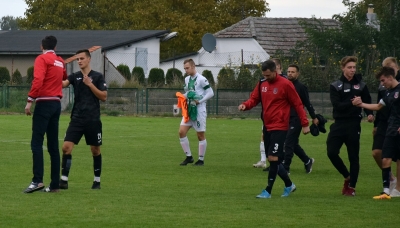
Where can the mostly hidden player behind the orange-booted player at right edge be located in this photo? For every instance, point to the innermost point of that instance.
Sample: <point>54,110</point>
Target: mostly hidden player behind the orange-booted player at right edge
<point>380,125</point>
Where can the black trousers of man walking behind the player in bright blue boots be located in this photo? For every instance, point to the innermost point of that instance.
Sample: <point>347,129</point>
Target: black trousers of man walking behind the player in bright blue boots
<point>292,143</point>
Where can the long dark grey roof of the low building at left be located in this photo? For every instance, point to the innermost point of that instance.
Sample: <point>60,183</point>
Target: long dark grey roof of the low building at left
<point>69,41</point>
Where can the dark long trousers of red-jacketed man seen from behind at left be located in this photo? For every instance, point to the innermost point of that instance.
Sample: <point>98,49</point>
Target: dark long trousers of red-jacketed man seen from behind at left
<point>45,121</point>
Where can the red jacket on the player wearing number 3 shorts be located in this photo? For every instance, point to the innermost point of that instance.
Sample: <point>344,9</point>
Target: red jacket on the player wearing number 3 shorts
<point>277,97</point>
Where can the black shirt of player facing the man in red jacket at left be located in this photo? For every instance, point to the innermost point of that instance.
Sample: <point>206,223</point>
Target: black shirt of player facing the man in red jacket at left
<point>86,104</point>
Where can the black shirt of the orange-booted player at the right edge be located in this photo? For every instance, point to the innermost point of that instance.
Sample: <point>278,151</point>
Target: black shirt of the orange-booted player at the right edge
<point>392,103</point>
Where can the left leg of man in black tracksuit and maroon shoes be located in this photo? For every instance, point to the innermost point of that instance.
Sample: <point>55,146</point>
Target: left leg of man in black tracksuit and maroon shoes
<point>333,143</point>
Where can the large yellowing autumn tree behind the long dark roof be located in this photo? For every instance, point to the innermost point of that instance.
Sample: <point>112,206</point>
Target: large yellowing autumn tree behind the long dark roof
<point>190,18</point>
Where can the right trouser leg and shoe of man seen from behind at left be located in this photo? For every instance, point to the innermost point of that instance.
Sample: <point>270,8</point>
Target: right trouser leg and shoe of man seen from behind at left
<point>53,147</point>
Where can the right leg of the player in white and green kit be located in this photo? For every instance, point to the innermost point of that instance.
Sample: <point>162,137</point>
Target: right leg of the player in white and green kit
<point>200,127</point>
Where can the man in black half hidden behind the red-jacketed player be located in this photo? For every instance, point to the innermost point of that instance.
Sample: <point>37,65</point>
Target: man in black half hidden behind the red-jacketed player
<point>292,138</point>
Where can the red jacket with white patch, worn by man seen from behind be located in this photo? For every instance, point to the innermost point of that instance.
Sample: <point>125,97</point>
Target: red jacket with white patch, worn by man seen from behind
<point>49,72</point>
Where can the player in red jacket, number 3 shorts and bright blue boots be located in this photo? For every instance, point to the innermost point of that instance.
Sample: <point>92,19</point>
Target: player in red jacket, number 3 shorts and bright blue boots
<point>276,95</point>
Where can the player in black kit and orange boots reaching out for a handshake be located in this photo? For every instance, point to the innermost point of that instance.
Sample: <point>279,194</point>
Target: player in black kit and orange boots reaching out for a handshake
<point>391,144</point>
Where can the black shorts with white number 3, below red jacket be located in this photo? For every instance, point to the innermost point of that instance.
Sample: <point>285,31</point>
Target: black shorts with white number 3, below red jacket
<point>274,142</point>
